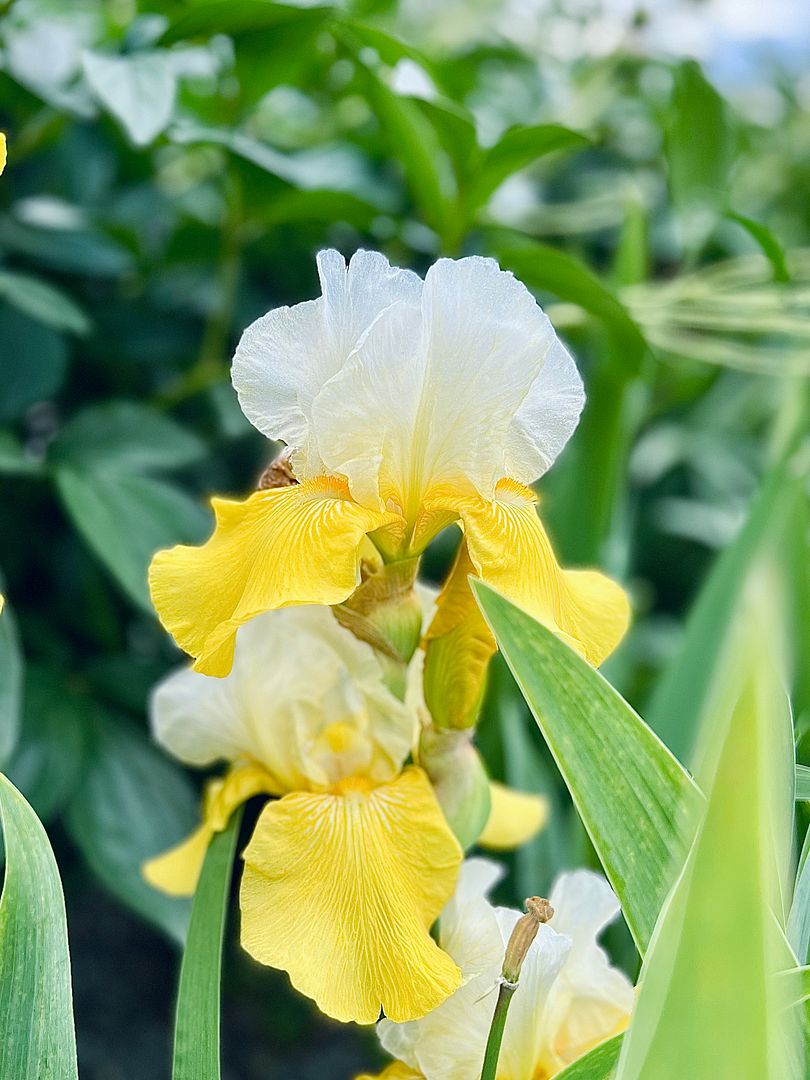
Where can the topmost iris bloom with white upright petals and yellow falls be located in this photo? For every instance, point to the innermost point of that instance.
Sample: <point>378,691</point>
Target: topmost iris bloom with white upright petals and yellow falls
<point>408,406</point>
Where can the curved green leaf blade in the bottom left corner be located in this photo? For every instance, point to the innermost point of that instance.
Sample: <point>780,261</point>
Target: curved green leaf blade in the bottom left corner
<point>37,1038</point>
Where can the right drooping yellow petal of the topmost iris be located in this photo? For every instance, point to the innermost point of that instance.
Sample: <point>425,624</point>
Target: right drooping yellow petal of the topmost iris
<point>511,551</point>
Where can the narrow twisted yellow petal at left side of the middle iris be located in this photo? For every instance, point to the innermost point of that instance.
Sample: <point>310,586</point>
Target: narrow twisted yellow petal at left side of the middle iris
<point>178,871</point>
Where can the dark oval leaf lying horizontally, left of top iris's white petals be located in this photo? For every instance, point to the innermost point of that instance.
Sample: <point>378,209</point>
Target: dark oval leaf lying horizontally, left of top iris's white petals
<point>125,437</point>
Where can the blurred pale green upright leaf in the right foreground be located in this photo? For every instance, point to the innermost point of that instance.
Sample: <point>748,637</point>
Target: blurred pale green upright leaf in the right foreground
<point>709,1005</point>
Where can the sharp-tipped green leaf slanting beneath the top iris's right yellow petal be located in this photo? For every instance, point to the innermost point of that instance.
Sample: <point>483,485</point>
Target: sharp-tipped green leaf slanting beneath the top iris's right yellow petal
<point>631,793</point>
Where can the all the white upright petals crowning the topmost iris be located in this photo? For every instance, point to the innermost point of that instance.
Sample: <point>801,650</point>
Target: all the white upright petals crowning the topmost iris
<point>406,390</point>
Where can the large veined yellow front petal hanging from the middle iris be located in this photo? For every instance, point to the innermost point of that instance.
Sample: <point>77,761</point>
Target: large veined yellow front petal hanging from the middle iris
<point>341,890</point>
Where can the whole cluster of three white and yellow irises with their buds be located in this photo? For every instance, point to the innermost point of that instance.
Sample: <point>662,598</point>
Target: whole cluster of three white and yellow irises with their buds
<point>332,683</point>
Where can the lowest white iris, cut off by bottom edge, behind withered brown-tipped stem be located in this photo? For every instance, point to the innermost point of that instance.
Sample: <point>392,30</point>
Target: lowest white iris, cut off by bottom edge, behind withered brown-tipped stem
<point>569,1001</point>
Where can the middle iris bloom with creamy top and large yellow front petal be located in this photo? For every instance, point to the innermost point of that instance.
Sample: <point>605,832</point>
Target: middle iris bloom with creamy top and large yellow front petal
<point>353,860</point>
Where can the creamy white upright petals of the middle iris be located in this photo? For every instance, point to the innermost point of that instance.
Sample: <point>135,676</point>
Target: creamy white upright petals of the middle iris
<point>305,699</point>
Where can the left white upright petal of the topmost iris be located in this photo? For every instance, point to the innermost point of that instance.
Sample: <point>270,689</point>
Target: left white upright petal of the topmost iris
<point>285,358</point>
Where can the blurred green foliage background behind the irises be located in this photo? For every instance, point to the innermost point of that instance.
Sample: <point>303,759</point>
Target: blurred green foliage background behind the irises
<point>173,168</point>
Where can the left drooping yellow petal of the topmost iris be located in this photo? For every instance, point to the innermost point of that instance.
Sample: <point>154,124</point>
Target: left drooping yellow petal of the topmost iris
<point>281,547</point>
